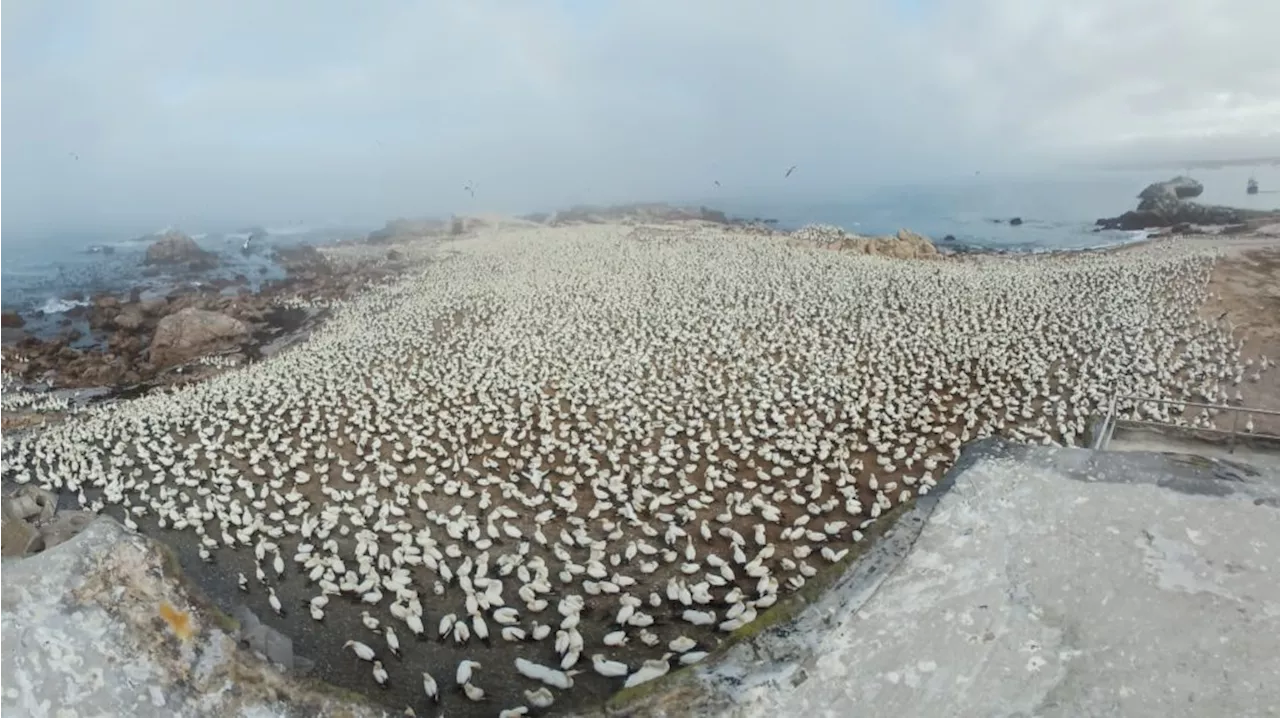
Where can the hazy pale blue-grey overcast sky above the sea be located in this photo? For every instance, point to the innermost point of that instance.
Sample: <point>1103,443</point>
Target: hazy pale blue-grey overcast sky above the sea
<point>126,113</point>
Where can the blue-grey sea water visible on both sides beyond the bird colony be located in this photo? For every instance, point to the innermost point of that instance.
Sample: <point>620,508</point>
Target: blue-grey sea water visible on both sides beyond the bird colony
<point>45,276</point>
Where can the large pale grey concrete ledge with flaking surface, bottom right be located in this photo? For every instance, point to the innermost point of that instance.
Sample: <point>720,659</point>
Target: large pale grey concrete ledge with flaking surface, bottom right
<point>1041,583</point>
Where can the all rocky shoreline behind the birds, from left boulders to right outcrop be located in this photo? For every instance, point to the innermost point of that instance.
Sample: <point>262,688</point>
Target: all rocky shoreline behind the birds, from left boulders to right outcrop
<point>136,342</point>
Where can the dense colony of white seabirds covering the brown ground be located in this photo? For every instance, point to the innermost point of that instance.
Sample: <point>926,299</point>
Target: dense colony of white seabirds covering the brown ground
<point>607,450</point>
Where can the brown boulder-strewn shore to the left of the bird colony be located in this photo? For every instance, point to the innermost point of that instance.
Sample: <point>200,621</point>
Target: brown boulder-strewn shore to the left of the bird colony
<point>135,344</point>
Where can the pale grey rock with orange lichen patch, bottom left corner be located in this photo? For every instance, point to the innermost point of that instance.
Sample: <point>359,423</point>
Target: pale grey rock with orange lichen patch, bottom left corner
<point>104,625</point>
